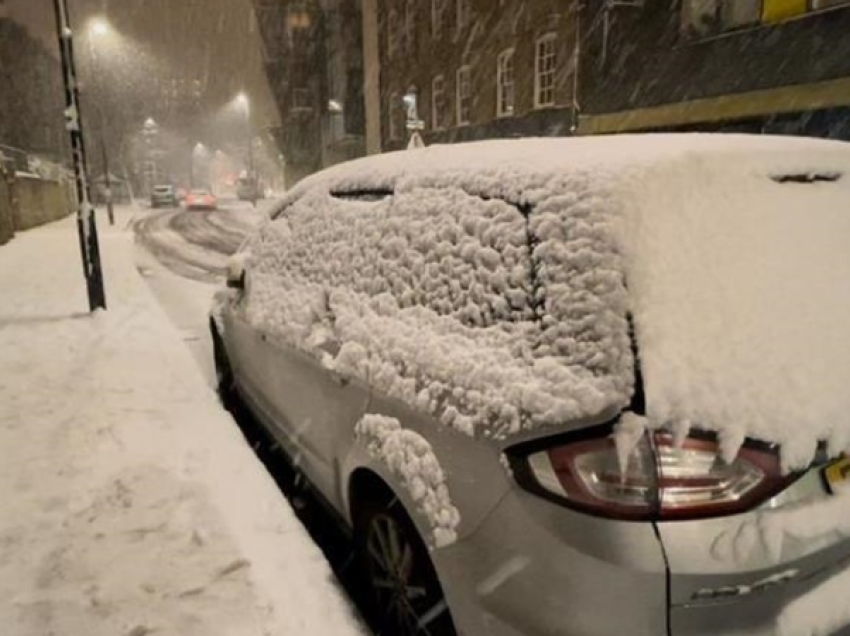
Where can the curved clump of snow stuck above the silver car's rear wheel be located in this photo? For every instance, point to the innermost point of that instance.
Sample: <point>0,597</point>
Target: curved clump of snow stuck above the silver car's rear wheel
<point>410,457</point>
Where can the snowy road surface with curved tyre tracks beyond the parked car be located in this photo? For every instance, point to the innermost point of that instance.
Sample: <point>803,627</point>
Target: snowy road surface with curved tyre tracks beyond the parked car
<point>197,243</point>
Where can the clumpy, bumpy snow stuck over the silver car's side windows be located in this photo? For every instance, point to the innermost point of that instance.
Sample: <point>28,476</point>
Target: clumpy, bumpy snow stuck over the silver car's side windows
<point>446,303</point>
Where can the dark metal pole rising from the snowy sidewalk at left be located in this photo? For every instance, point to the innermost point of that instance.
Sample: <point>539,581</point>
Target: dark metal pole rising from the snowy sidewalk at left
<point>86,224</point>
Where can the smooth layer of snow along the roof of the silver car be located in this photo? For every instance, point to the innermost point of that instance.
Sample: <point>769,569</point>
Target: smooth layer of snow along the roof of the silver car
<point>509,168</point>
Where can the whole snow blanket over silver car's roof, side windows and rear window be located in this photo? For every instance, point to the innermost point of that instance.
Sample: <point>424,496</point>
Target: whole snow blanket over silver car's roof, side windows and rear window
<point>736,283</point>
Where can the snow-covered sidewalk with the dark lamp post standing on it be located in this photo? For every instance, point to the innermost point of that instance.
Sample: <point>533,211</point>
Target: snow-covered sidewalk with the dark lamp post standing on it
<point>130,504</point>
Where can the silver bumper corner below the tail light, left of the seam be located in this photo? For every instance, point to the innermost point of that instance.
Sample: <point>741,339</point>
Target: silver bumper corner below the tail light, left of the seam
<point>533,568</point>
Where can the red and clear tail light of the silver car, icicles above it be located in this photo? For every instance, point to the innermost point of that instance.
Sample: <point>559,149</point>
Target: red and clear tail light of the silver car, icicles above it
<point>659,479</point>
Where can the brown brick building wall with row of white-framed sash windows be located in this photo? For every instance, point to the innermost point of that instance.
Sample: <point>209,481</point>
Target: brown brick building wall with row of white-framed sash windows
<point>476,69</point>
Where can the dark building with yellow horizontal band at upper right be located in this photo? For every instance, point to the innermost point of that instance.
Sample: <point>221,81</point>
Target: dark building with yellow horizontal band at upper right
<point>778,66</point>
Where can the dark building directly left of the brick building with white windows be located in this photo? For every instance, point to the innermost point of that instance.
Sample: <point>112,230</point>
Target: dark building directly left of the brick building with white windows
<point>313,53</point>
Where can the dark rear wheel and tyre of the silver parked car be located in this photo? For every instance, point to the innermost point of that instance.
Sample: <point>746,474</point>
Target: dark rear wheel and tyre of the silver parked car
<point>401,589</point>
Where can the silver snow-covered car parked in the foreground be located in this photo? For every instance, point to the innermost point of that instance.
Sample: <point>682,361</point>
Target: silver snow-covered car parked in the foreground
<point>582,386</point>
